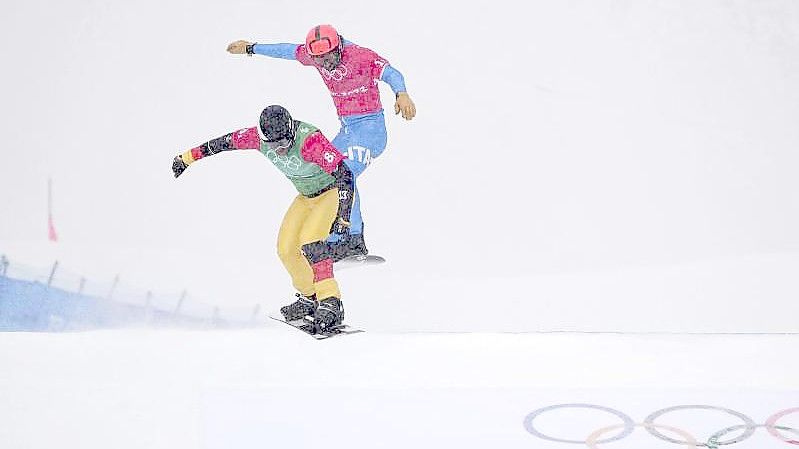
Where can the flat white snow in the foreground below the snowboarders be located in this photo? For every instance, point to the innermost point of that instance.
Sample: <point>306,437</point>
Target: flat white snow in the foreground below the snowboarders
<point>279,388</point>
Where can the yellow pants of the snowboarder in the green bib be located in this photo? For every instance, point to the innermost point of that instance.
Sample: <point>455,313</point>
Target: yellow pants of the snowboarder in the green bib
<point>306,226</point>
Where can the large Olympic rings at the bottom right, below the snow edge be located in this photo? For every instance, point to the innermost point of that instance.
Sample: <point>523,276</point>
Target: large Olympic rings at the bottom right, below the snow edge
<point>628,426</point>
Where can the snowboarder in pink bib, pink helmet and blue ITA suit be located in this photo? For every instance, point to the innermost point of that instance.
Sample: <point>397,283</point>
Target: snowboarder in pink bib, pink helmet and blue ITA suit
<point>351,74</point>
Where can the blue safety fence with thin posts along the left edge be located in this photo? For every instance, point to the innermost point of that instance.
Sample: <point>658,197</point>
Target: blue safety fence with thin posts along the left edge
<point>37,300</point>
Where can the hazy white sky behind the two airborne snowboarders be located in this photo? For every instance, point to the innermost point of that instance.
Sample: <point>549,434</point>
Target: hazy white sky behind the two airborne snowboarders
<point>574,136</point>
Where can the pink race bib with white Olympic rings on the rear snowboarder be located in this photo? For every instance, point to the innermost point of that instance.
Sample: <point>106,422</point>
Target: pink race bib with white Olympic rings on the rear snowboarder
<point>353,84</point>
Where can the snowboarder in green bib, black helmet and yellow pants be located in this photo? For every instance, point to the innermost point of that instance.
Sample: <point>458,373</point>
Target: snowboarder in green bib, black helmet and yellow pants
<point>323,206</point>
